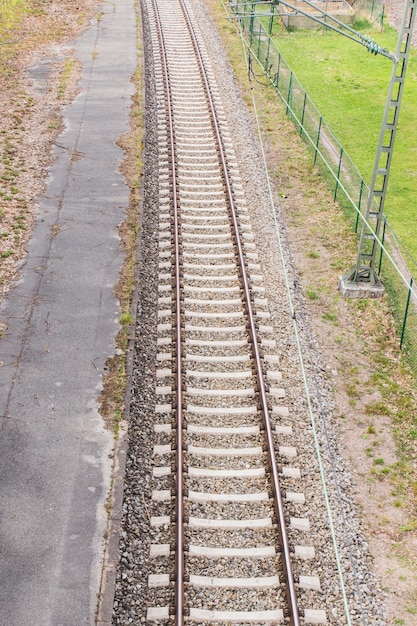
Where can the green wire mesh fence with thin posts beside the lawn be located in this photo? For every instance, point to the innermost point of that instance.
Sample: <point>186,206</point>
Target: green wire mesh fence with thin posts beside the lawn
<point>397,268</point>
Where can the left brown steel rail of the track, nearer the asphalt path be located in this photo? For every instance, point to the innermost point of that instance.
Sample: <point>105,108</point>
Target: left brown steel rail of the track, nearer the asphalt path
<point>179,500</point>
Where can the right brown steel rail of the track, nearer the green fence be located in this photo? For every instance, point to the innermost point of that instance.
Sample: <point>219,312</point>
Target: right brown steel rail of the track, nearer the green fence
<point>278,503</point>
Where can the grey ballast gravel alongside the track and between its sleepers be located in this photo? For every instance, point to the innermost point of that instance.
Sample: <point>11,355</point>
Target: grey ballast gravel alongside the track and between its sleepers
<point>132,593</point>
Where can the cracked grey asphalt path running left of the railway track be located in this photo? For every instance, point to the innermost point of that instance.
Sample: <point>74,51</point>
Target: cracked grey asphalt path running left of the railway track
<point>63,316</point>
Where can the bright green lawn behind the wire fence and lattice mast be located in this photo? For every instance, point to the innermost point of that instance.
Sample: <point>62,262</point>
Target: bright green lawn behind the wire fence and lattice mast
<point>349,87</point>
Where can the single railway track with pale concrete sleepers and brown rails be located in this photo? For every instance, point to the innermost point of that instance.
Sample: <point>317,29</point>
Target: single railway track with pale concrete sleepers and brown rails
<point>242,546</point>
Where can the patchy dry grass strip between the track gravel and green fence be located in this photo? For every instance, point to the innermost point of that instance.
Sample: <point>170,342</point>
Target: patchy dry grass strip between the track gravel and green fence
<point>374,390</point>
